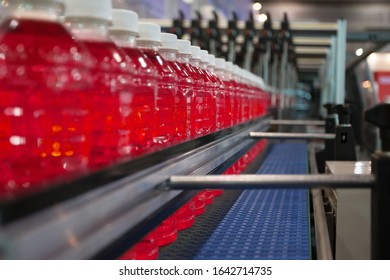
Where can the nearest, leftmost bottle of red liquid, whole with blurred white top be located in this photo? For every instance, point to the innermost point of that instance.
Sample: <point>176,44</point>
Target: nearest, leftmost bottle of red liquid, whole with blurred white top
<point>45,85</point>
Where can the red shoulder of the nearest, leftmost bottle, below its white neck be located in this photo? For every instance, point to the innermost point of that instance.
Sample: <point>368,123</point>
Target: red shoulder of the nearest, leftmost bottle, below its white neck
<point>31,42</point>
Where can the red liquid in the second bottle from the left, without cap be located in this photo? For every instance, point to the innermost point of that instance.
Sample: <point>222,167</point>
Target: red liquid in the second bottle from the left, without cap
<point>112,100</point>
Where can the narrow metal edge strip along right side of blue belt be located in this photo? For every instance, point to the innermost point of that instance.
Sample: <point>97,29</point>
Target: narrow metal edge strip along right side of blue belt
<point>324,248</point>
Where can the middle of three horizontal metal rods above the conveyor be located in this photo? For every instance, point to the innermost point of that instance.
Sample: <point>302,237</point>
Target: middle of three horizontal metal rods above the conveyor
<point>303,136</point>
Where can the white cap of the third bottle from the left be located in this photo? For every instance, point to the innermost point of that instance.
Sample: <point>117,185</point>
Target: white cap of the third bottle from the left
<point>124,20</point>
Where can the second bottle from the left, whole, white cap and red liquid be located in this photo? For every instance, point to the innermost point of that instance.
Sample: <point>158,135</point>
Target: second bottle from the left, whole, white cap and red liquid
<point>113,81</point>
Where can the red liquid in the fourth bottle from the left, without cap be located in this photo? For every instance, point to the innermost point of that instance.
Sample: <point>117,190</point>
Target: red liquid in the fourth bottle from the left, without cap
<point>165,99</point>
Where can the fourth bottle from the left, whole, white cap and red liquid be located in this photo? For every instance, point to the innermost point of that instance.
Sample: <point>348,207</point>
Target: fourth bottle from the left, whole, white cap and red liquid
<point>149,41</point>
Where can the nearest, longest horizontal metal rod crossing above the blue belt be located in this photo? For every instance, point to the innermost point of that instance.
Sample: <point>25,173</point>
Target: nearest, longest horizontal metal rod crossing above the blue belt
<point>261,181</point>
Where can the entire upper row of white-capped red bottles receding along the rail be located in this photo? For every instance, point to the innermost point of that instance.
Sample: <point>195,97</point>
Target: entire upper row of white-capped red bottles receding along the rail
<point>98,87</point>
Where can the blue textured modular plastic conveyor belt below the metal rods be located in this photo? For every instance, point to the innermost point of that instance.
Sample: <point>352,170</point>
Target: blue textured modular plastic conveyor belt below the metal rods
<point>267,223</point>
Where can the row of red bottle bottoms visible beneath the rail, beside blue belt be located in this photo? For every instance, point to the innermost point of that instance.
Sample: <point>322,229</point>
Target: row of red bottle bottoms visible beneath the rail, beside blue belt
<point>167,232</point>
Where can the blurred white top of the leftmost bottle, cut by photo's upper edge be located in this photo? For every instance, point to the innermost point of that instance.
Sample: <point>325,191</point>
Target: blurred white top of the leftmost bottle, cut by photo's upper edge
<point>44,10</point>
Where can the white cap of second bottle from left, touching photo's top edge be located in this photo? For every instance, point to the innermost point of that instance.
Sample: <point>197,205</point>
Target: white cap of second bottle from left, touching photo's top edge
<point>97,9</point>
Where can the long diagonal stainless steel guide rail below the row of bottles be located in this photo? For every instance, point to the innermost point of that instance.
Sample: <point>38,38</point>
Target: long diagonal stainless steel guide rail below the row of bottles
<point>81,227</point>
